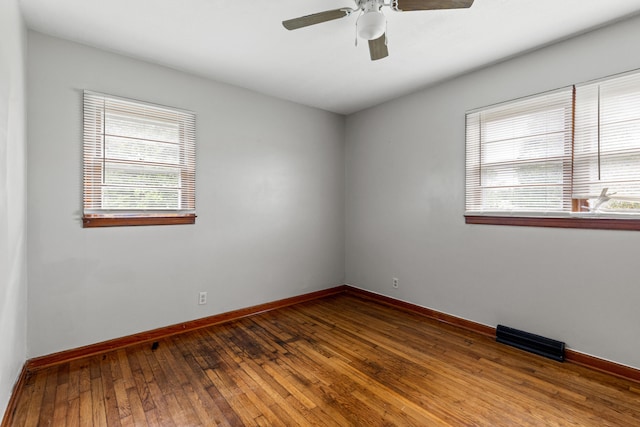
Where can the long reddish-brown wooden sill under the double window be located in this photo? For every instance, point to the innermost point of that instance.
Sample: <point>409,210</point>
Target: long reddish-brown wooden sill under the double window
<point>568,222</point>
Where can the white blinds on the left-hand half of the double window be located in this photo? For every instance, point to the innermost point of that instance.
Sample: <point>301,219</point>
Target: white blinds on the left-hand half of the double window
<point>519,156</point>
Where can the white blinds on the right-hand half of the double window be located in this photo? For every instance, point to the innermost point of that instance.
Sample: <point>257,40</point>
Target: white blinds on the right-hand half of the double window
<point>607,144</point>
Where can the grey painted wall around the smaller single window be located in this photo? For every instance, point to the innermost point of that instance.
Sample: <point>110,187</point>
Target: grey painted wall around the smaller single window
<point>270,204</point>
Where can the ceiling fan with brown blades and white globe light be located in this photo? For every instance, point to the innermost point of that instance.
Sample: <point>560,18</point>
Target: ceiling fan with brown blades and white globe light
<point>371,24</point>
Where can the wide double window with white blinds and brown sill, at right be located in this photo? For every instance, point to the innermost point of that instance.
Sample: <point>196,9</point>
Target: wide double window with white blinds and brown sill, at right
<point>568,158</point>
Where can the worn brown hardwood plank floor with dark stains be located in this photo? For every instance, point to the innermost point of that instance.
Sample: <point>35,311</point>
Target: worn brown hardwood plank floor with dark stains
<point>339,360</point>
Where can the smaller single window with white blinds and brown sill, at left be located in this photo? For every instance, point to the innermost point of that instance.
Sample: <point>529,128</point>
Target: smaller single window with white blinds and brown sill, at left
<point>139,163</point>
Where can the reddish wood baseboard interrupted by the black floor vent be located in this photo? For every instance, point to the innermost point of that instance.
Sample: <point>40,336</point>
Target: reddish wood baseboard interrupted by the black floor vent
<point>571,356</point>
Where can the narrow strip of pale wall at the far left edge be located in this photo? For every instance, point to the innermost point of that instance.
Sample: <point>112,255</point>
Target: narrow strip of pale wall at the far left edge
<point>13,199</point>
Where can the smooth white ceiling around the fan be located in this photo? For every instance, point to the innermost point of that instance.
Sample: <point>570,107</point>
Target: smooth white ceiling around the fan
<point>242,42</point>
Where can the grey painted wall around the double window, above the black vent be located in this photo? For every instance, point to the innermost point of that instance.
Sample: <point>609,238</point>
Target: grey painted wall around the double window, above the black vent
<point>405,205</point>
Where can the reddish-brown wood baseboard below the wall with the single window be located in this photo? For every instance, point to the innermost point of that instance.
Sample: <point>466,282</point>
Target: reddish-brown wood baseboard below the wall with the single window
<point>156,334</point>
